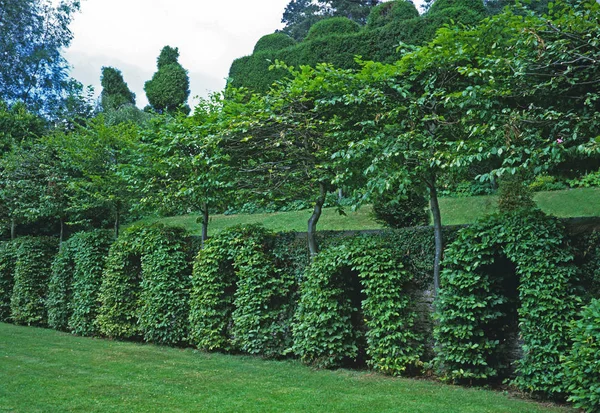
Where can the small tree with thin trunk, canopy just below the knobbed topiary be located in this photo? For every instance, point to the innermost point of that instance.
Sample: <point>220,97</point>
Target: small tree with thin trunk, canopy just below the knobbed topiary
<point>180,164</point>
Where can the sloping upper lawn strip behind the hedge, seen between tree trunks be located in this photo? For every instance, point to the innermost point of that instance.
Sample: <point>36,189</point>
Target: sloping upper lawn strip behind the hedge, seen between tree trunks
<point>455,211</point>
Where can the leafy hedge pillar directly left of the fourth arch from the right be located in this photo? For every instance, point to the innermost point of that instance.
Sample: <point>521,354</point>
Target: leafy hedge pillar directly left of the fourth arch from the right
<point>88,251</point>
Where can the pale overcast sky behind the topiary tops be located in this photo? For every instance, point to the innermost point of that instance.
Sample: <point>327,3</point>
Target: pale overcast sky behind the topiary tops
<point>129,34</point>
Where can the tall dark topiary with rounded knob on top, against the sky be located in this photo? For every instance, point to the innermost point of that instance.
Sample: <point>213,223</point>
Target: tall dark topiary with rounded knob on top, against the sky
<point>168,90</point>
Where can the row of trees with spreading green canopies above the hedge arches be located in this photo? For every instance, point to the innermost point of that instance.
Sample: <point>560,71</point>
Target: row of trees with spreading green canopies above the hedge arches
<point>517,92</point>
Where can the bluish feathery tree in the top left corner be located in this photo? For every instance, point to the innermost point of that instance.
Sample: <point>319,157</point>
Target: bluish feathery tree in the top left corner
<point>32,35</point>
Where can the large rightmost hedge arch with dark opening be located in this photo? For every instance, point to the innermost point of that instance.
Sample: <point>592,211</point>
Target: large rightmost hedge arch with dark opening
<point>473,304</point>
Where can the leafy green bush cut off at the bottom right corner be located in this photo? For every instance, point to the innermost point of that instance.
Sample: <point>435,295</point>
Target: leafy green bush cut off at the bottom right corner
<point>582,365</point>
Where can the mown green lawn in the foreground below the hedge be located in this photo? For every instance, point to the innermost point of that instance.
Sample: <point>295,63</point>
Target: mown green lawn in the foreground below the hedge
<point>46,371</point>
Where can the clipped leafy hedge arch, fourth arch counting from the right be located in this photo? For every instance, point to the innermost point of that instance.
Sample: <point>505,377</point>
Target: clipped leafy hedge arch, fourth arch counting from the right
<point>144,291</point>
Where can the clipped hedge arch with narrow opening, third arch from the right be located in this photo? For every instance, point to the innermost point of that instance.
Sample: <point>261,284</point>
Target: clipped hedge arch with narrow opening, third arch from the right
<point>240,300</point>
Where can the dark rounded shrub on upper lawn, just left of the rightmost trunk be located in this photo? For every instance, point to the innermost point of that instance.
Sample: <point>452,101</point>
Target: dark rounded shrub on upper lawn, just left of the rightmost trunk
<point>401,210</point>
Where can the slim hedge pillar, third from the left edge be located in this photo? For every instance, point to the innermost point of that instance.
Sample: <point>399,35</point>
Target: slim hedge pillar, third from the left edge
<point>60,291</point>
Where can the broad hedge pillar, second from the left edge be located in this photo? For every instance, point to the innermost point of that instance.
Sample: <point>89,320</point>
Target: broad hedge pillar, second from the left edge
<point>32,272</point>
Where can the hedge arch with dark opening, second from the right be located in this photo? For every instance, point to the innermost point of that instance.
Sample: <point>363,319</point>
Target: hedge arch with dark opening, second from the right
<point>325,333</point>
